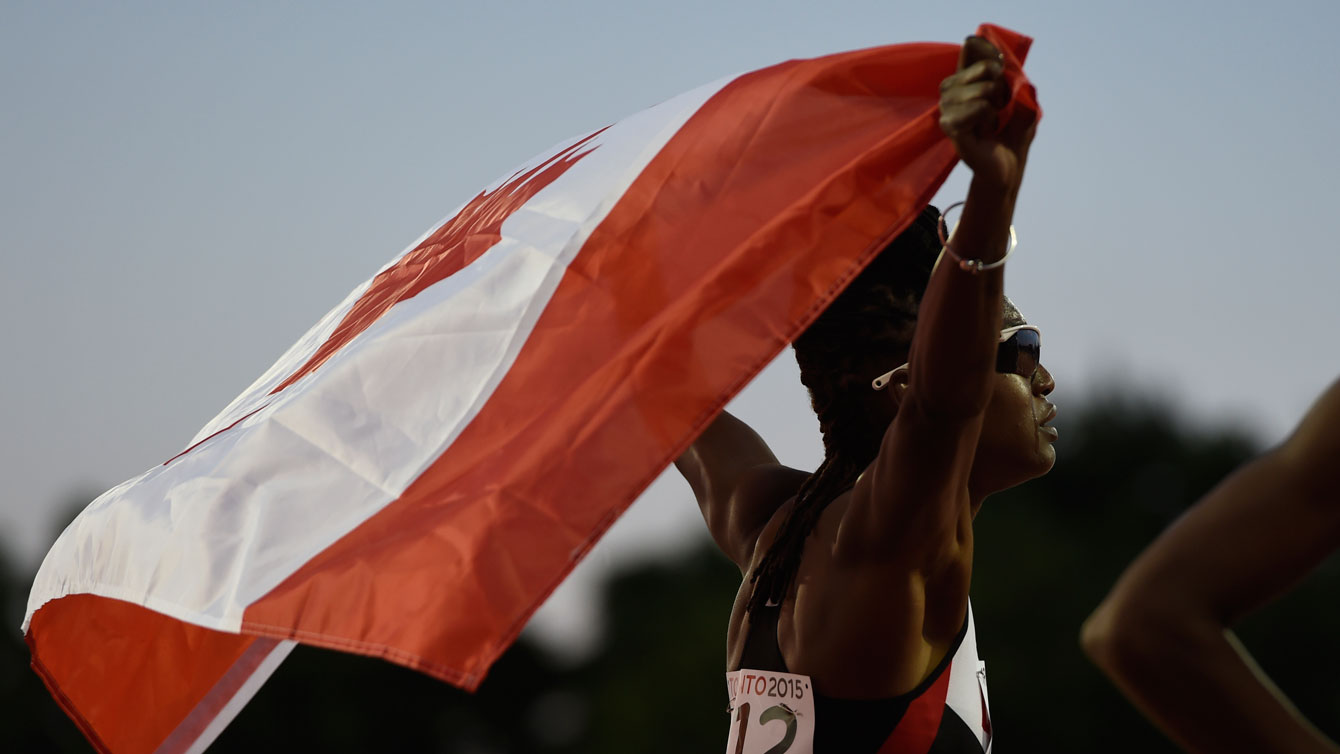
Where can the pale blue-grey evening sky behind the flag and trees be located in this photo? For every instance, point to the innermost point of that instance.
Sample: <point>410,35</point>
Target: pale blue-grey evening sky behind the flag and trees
<point>186,190</point>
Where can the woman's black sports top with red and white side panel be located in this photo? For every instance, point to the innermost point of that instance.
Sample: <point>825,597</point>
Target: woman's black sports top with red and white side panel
<point>945,714</point>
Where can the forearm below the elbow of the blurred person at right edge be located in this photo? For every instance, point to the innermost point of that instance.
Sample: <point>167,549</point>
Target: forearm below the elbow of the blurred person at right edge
<point>1189,674</point>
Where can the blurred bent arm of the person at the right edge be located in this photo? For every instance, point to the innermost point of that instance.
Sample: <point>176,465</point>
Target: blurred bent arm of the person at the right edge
<point>1162,634</point>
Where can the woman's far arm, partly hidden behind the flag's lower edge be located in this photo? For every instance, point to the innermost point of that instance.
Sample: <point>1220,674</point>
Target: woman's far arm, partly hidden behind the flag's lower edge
<point>739,484</point>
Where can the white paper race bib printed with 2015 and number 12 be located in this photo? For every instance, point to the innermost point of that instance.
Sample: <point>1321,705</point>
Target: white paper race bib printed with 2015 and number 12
<point>771,713</point>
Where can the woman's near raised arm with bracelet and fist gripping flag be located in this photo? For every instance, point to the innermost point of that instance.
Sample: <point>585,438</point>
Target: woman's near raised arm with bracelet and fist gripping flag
<point>908,506</point>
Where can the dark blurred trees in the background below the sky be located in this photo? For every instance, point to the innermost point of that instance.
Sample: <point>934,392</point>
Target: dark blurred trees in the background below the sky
<point>1047,554</point>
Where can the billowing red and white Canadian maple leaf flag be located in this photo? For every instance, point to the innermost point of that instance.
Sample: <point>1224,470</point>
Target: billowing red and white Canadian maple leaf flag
<point>419,472</point>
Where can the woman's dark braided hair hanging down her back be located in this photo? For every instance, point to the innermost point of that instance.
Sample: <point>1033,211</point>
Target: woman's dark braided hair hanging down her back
<point>876,315</point>
